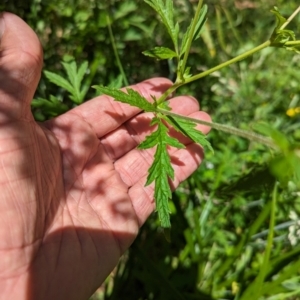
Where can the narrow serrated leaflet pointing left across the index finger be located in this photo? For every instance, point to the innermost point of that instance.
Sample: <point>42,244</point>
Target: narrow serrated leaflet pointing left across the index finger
<point>132,97</point>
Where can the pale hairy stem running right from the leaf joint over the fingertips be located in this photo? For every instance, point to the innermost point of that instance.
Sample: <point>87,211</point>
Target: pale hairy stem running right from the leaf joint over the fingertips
<point>252,136</point>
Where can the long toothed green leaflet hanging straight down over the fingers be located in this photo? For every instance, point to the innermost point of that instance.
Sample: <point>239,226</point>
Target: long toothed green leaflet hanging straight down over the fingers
<point>161,169</point>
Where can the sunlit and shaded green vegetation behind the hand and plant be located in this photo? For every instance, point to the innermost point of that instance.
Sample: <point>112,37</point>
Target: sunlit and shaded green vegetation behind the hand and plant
<point>219,245</point>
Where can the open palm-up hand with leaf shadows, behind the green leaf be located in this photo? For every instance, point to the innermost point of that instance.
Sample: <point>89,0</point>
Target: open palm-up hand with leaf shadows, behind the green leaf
<point>72,189</point>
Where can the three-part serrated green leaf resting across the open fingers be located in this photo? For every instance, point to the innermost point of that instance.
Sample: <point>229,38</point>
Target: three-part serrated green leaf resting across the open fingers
<point>161,169</point>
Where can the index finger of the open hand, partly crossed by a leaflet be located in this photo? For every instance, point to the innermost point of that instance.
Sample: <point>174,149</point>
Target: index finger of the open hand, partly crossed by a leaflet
<point>104,114</point>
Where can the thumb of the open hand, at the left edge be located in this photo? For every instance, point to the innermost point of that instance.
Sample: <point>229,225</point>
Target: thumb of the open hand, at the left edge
<point>20,68</point>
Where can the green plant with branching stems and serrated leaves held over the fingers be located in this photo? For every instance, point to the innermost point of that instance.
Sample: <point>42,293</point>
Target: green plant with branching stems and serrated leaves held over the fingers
<point>161,170</point>
